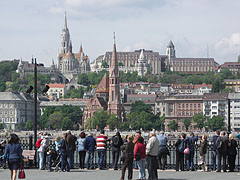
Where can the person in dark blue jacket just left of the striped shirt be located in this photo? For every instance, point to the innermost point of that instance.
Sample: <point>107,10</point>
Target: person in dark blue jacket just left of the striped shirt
<point>89,145</point>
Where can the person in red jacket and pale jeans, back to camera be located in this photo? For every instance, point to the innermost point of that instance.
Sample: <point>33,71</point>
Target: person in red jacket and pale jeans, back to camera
<point>141,149</point>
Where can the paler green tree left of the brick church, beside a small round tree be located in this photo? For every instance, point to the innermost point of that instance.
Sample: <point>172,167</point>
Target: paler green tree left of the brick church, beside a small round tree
<point>55,120</point>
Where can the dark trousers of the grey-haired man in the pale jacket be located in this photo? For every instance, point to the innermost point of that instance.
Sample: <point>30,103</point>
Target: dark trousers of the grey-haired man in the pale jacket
<point>152,165</point>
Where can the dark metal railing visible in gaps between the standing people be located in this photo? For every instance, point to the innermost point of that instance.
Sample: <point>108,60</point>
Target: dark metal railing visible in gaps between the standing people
<point>171,160</point>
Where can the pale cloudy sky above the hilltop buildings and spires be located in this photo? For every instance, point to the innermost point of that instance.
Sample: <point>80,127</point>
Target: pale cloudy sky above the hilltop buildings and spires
<point>32,28</point>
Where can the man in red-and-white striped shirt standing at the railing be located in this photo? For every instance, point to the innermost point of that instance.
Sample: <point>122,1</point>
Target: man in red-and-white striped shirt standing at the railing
<point>101,148</point>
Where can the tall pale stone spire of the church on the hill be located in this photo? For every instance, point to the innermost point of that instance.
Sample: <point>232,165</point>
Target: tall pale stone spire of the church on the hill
<point>65,37</point>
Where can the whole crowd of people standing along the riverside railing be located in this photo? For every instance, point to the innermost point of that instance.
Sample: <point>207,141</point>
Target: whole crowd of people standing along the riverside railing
<point>133,152</point>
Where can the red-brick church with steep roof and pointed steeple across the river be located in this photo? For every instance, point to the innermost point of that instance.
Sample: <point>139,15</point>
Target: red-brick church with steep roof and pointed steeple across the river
<point>107,95</point>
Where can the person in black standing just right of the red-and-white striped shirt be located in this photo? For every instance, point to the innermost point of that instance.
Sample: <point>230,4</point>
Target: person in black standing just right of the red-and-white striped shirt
<point>117,142</point>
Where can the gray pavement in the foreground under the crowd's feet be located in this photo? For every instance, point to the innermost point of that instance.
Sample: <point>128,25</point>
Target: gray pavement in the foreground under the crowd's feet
<point>34,174</point>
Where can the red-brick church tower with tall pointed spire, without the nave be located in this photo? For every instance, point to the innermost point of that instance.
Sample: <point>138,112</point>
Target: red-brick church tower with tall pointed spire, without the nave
<point>114,103</point>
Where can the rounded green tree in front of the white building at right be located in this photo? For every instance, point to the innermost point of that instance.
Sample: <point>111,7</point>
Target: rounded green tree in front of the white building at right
<point>216,123</point>
